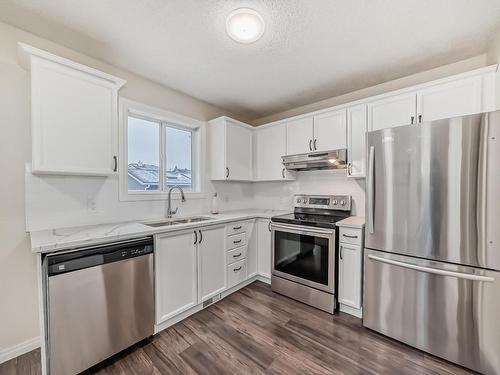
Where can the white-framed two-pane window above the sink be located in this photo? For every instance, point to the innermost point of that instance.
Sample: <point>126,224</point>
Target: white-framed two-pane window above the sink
<point>159,153</point>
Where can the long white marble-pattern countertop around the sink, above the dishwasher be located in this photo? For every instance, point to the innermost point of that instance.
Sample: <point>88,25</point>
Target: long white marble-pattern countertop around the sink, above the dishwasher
<point>50,240</point>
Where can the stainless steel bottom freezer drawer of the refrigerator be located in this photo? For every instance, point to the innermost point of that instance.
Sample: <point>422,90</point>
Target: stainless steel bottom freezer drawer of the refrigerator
<point>447,310</point>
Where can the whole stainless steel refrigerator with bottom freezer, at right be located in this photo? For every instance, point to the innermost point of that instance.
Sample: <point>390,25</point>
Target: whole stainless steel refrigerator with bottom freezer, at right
<point>432,256</point>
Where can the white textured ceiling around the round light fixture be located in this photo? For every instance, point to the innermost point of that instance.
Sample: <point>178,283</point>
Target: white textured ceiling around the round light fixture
<point>311,50</point>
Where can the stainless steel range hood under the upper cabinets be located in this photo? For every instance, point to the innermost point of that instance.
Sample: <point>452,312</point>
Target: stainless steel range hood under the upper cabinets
<point>335,159</point>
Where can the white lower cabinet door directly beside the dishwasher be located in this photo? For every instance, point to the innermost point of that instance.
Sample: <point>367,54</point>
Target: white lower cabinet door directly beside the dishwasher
<point>176,286</point>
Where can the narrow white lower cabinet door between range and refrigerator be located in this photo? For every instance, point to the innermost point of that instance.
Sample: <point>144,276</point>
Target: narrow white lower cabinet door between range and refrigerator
<point>350,275</point>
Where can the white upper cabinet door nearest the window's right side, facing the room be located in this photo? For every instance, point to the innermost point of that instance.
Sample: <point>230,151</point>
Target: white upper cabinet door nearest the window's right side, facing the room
<point>238,152</point>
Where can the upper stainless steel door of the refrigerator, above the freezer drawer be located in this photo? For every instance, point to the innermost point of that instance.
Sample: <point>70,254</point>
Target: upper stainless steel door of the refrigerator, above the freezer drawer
<point>432,190</point>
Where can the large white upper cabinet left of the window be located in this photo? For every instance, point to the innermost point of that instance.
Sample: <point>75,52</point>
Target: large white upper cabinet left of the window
<point>73,115</point>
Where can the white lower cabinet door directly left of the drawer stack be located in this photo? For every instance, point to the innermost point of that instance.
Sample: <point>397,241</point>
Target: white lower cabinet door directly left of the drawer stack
<point>211,262</point>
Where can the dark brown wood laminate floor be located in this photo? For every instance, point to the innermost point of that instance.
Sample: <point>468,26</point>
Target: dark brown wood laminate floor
<point>255,331</point>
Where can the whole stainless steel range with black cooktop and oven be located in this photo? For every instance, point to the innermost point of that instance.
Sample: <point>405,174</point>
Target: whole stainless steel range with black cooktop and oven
<point>304,249</point>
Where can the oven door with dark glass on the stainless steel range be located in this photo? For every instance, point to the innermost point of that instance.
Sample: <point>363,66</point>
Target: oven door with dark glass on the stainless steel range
<point>303,254</point>
